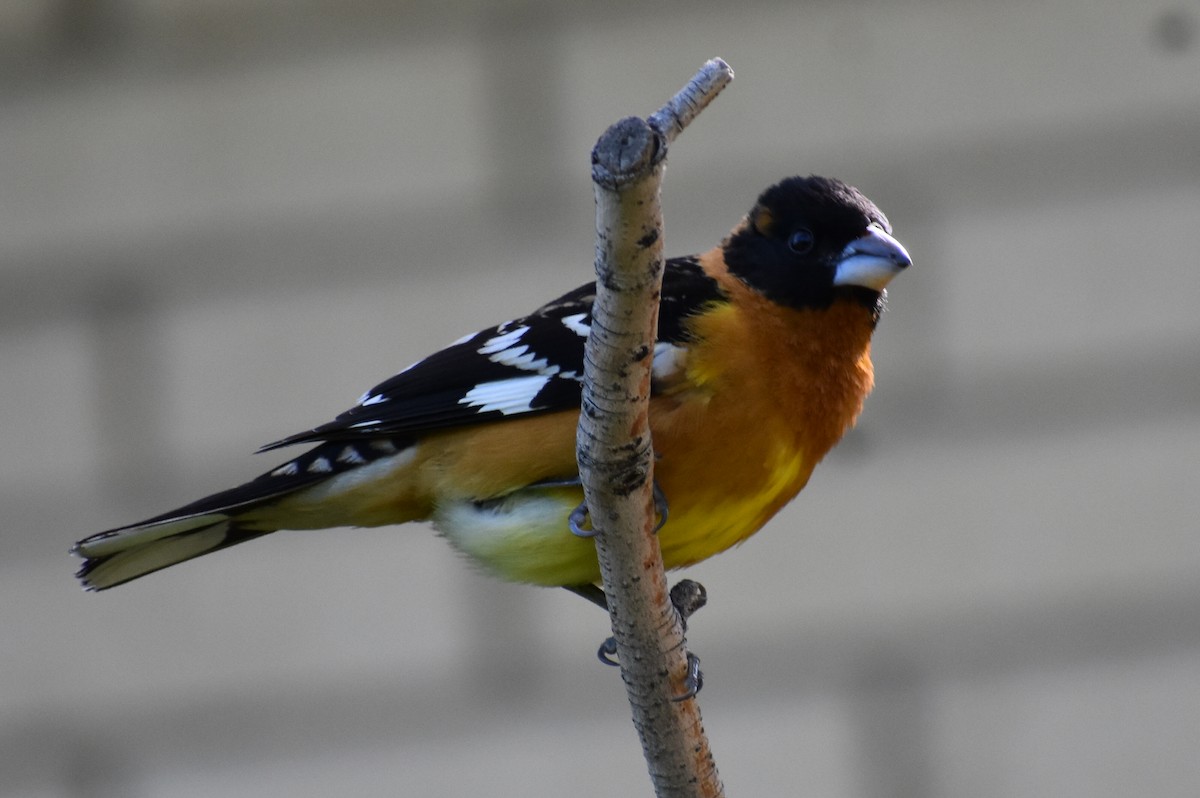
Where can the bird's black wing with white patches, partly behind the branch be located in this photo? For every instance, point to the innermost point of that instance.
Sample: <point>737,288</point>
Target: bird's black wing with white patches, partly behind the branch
<point>530,365</point>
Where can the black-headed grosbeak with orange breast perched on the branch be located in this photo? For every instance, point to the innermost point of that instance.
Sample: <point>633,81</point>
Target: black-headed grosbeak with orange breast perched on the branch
<point>763,362</point>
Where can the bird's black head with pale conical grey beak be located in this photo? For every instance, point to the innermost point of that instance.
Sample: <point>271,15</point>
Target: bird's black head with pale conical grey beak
<point>809,241</point>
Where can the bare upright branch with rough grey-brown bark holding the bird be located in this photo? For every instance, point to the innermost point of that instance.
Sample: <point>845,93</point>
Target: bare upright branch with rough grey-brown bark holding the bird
<point>614,445</point>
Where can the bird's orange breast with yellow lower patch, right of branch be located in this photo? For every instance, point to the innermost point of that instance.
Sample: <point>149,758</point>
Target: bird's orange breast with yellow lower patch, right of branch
<point>770,392</point>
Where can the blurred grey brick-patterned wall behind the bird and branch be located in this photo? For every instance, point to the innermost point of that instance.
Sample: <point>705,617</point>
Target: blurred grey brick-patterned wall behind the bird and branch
<point>223,220</point>
